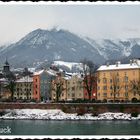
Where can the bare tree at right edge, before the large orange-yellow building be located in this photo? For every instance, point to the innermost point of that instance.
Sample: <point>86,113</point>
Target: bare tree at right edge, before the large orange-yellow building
<point>135,87</point>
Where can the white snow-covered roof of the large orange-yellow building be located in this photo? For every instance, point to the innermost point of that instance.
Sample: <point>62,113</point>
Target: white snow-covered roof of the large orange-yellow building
<point>119,66</point>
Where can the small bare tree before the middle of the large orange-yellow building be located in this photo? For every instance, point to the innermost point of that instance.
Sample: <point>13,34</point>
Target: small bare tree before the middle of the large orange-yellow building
<point>116,85</point>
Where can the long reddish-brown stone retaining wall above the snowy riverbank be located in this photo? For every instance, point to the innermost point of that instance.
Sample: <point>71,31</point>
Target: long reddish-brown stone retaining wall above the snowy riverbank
<point>73,108</point>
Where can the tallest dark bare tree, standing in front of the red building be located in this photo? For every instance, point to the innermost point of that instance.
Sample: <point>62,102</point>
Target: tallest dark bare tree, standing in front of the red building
<point>89,69</point>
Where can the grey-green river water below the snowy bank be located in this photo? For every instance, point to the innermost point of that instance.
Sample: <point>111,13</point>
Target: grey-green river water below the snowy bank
<point>43,127</point>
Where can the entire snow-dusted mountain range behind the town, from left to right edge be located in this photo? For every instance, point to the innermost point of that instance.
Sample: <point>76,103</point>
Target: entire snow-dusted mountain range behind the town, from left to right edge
<point>51,45</point>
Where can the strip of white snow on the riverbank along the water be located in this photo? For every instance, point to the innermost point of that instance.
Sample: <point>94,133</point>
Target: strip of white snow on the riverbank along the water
<point>55,114</point>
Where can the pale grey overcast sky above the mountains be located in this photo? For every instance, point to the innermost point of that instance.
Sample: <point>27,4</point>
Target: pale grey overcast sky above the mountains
<point>95,21</point>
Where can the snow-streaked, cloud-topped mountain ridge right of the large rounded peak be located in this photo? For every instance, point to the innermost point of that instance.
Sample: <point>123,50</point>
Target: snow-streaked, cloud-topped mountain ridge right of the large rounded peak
<point>116,49</point>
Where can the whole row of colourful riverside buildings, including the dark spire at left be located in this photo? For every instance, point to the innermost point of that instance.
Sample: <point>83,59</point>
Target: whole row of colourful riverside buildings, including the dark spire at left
<point>112,82</point>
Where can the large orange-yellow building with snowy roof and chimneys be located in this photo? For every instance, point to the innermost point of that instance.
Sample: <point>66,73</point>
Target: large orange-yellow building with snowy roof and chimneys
<point>114,81</point>
